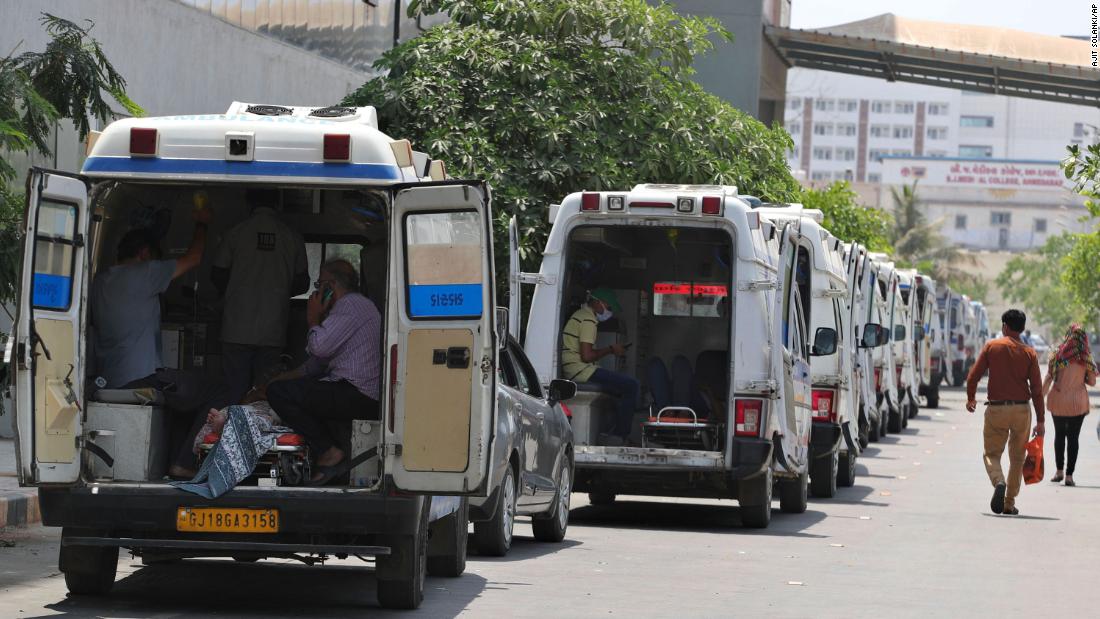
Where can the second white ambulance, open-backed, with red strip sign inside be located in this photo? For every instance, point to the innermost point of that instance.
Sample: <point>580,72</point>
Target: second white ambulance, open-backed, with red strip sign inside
<point>716,327</point>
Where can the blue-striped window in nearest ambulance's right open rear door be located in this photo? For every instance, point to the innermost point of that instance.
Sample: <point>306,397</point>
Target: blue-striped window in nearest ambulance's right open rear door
<point>444,264</point>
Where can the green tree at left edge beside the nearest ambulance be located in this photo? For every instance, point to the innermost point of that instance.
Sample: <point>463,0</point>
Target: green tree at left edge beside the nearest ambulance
<point>71,80</point>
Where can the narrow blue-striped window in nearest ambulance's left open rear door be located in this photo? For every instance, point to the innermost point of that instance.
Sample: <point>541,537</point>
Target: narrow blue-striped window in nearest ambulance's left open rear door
<point>53,256</point>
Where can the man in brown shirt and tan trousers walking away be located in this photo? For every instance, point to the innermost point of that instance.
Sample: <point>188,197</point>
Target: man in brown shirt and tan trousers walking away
<point>1015,381</point>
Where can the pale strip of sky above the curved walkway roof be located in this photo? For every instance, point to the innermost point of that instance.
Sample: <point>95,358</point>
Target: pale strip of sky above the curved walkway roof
<point>1049,17</point>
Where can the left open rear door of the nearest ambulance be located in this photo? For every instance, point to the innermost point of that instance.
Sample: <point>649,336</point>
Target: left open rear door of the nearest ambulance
<point>48,360</point>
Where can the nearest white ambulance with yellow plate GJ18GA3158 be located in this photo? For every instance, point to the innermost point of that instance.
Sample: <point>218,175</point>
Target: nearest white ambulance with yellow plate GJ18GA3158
<point>424,248</point>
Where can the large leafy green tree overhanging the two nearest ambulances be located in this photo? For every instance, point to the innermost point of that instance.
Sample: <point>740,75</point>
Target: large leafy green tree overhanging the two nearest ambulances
<point>544,98</point>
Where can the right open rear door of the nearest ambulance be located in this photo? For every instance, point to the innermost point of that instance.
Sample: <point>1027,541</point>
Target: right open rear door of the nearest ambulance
<point>439,432</point>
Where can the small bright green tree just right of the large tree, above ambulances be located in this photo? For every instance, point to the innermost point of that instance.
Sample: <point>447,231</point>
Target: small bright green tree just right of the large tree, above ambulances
<point>846,219</point>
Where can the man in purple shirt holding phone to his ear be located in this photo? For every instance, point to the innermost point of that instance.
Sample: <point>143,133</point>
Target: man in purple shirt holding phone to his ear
<point>340,379</point>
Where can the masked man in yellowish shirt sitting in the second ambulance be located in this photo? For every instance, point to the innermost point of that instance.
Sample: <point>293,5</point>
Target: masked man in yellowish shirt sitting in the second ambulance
<point>579,357</point>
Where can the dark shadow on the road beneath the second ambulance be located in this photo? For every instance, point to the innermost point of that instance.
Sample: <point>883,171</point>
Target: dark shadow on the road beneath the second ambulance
<point>697,518</point>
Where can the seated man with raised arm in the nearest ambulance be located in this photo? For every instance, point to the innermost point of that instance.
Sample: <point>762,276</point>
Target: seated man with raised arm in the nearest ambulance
<point>126,317</point>
